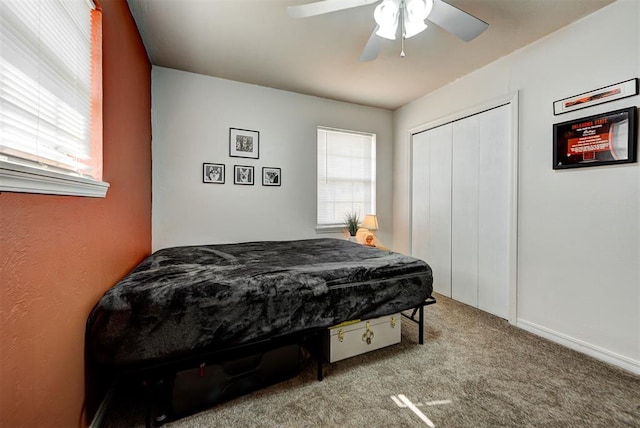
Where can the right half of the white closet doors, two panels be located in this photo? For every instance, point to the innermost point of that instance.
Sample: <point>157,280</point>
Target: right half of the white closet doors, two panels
<point>480,211</point>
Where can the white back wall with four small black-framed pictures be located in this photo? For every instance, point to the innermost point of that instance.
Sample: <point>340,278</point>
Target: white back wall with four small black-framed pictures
<point>191,118</point>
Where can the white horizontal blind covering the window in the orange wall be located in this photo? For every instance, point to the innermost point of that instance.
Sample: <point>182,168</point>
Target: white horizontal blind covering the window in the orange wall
<point>45,84</point>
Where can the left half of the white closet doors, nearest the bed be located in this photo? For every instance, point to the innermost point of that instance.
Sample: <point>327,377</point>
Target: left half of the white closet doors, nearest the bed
<point>431,203</point>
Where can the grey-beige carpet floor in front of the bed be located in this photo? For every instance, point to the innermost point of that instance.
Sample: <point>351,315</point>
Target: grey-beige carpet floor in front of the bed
<point>474,370</point>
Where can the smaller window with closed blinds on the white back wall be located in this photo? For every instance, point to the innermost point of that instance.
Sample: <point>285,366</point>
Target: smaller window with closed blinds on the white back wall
<point>346,176</point>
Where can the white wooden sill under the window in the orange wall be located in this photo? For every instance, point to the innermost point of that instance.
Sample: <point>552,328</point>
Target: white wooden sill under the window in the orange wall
<point>26,179</point>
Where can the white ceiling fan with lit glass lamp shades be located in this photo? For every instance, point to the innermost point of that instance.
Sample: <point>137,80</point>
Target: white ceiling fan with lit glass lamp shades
<point>409,15</point>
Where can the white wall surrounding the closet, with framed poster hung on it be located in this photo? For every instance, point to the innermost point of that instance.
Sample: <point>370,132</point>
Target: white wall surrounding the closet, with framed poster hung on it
<point>578,229</point>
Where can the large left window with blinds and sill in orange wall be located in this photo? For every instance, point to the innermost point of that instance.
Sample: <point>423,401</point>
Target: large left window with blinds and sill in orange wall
<point>50,90</point>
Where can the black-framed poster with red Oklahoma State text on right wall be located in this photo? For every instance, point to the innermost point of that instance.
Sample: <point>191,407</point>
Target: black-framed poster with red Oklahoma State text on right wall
<point>602,139</point>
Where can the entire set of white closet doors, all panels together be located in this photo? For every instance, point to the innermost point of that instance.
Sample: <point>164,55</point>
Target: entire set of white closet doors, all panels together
<point>461,207</point>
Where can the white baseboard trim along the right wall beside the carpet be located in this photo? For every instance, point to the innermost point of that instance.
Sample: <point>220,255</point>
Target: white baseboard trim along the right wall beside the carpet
<point>594,351</point>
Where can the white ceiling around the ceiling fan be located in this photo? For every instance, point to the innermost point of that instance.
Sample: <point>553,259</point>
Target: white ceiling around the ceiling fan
<point>255,41</point>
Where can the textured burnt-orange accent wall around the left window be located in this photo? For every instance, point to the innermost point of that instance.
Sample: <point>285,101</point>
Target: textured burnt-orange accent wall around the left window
<point>59,254</point>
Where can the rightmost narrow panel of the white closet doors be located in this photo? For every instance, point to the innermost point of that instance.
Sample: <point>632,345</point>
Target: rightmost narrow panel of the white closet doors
<point>494,211</point>
